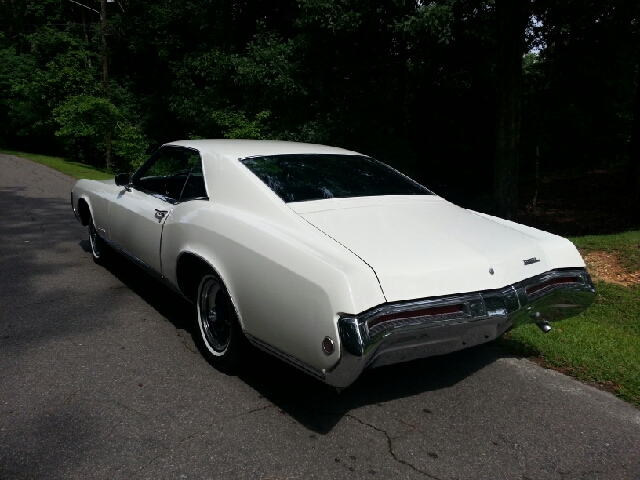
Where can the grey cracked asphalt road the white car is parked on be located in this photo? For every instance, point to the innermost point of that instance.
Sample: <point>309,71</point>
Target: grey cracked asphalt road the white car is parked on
<point>100,378</point>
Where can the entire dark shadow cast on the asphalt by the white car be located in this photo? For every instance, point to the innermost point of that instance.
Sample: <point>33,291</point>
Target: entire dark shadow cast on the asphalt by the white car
<point>307,400</point>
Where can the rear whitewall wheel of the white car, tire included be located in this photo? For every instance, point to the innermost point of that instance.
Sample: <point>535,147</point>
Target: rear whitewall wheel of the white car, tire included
<point>222,338</point>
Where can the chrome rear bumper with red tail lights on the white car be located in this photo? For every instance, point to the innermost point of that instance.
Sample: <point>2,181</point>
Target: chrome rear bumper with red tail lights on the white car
<point>403,331</point>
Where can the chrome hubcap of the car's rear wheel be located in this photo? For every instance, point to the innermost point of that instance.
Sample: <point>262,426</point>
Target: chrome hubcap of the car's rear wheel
<point>215,315</point>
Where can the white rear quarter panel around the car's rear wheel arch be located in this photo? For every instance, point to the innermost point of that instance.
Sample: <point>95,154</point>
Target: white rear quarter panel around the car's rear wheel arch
<point>288,282</point>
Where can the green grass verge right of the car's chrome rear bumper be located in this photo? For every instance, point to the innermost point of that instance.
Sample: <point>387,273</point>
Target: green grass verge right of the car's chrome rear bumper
<point>602,345</point>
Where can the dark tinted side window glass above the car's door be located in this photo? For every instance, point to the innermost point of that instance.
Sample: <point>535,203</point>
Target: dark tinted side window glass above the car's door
<point>175,174</point>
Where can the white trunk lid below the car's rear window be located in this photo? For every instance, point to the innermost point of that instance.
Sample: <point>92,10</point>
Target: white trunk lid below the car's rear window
<point>423,246</point>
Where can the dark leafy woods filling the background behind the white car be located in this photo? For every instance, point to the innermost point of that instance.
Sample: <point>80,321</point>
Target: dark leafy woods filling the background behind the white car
<point>413,83</point>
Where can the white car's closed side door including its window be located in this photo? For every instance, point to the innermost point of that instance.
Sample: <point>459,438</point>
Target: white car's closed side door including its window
<point>138,214</point>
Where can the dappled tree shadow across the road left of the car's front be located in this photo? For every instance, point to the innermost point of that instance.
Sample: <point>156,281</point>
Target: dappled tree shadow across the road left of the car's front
<point>40,281</point>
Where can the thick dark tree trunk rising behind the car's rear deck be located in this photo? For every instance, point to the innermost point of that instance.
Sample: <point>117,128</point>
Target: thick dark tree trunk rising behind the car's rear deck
<point>511,18</point>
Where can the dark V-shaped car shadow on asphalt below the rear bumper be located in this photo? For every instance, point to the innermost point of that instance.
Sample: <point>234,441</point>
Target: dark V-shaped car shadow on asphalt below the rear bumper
<point>320,407</point>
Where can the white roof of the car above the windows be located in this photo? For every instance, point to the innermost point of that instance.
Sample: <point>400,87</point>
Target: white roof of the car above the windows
<point>253,148</point>
